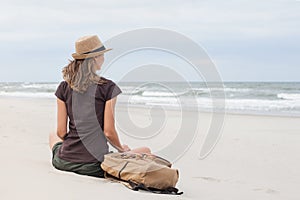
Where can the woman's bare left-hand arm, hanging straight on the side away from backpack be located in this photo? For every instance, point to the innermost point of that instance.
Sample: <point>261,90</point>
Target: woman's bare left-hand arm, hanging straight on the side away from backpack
<point>62,119</point>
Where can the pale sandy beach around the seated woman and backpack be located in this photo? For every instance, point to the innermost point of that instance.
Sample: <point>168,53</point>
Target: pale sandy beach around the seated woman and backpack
<point>256,157</point>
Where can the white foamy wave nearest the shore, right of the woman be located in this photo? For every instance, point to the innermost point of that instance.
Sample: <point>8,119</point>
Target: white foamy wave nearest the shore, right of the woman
<point>205,103</point>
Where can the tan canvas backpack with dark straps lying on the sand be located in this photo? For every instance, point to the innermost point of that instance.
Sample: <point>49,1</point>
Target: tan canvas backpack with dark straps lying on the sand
<point>141,171</point>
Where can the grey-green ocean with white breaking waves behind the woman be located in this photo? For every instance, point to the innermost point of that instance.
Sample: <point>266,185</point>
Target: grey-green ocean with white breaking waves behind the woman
<point>271,98</point>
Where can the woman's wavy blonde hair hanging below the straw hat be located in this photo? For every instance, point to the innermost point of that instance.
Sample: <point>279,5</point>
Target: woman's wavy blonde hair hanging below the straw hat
<point>80,74</point>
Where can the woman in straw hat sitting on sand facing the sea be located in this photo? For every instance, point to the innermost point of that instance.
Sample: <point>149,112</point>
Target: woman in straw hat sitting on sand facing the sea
<point>87,101</point>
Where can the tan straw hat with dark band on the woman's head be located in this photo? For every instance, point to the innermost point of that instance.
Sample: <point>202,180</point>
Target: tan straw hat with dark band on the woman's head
<point>88,46</point>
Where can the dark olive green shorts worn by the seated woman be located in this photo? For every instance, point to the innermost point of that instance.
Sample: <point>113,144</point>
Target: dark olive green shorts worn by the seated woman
<point>90,169</point>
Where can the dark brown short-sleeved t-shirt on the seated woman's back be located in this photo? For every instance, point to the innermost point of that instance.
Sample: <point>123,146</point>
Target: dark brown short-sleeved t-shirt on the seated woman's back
<point>85,141</point>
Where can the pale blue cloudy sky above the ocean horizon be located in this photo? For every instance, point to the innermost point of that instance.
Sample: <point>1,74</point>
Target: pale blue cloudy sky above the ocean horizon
<point>255,40</point>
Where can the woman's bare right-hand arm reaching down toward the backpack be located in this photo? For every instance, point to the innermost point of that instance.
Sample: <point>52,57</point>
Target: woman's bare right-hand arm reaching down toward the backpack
<point>109,126</point>
